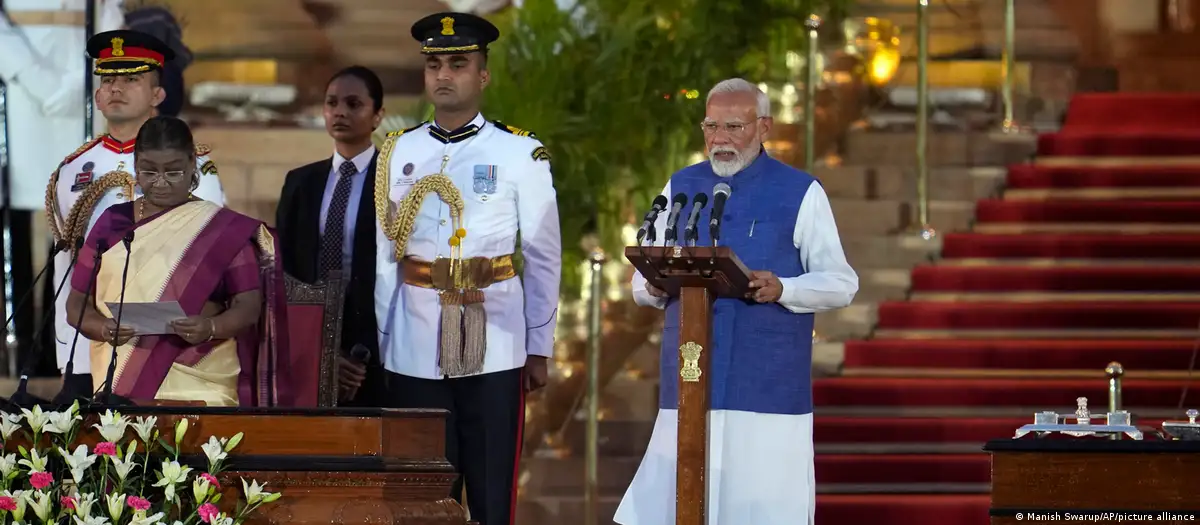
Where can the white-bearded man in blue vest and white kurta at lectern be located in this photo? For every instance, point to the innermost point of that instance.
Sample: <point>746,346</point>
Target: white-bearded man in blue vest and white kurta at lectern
<point>779,222</point>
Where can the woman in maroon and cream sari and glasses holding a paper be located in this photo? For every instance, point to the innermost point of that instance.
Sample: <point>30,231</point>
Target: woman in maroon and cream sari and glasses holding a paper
<point>219,265</point>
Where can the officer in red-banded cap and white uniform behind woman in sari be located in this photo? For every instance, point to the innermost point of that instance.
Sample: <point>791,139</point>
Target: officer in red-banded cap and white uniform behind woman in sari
<point>99,174</point>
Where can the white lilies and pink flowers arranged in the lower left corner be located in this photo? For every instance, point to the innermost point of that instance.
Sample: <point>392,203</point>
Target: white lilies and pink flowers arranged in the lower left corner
<point>137,481</point>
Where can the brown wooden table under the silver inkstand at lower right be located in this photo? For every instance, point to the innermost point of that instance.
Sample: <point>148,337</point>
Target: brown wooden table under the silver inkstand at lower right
<point>1036,481</point>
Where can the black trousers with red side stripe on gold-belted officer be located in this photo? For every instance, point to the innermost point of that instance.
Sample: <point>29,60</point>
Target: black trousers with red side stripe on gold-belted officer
<point>484,435</point>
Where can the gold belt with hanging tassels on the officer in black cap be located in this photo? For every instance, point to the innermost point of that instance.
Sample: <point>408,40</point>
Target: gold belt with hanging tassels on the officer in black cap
<point>463,340</point>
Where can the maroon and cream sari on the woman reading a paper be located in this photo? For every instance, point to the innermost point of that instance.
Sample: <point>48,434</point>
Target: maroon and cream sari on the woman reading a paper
<point>194,254</point>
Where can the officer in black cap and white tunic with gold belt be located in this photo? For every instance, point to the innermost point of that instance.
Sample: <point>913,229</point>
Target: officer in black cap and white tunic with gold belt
<point>459,329</point>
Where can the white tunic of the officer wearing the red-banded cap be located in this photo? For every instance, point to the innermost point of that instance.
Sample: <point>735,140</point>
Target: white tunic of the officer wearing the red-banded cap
<point>105,155</point>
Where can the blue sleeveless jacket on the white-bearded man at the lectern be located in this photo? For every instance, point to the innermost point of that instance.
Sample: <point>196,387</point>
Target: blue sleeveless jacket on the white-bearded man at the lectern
<point>761,355</point>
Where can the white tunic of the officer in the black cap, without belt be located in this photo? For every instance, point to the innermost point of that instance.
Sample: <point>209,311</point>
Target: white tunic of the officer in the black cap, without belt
<point>507,191</point>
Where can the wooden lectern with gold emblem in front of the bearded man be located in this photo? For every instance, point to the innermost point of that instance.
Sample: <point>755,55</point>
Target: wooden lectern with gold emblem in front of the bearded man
<point>698,276</point>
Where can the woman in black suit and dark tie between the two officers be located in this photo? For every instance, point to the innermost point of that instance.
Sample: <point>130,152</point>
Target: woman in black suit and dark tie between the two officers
<point>326,222</point>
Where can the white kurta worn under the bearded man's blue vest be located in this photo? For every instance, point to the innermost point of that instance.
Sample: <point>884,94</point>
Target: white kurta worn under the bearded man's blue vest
<point>760,466</point>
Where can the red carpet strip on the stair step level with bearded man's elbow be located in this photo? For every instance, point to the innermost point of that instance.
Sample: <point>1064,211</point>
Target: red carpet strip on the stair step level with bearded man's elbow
<point>1177,279</point>
